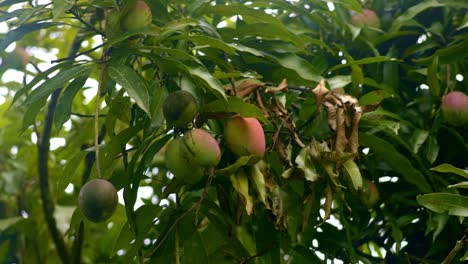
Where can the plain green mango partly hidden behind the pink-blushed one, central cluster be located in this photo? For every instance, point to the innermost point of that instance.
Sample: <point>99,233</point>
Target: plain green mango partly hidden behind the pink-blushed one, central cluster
<point>178,162</point>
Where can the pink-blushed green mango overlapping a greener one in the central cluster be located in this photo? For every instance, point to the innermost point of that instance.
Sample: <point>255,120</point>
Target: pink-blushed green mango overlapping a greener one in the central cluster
<point>202,148</point>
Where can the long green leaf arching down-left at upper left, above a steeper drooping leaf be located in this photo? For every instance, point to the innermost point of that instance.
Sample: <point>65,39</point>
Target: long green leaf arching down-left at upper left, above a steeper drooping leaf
<point>56,82</point>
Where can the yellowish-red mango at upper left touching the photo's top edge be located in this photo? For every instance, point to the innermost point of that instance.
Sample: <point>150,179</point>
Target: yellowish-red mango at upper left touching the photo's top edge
<point>138,16</point>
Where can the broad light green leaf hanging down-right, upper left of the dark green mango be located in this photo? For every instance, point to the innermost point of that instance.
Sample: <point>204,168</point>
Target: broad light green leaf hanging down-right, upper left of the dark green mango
<point>132,83</point>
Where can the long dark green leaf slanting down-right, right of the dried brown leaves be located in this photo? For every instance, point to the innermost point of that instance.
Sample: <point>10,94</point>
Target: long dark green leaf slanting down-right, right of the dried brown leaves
<point>397,161</point>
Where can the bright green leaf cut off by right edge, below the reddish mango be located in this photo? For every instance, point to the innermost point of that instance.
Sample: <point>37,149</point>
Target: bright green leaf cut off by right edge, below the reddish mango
<point>453,204</point>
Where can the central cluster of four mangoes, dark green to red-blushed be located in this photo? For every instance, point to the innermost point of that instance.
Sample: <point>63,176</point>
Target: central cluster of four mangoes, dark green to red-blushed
<point>191,155</point>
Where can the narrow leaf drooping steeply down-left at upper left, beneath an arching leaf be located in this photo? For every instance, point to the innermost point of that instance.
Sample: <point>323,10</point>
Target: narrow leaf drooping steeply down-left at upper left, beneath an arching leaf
<point>65,102</point>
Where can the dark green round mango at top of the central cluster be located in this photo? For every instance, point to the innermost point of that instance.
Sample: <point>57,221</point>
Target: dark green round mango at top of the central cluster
<point>179,108</point>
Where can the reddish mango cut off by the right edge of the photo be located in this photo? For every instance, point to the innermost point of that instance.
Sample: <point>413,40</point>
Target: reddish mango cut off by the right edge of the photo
<point>455,108</point>
